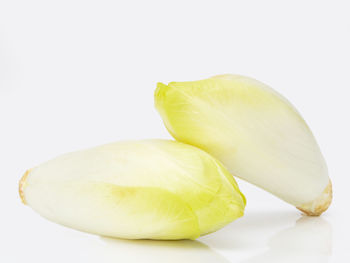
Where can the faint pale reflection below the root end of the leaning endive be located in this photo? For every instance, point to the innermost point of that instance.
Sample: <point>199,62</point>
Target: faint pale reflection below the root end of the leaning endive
<point>308,241</point>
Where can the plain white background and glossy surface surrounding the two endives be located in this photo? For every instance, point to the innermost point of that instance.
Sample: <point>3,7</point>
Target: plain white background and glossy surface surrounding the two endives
<point>74,74</point>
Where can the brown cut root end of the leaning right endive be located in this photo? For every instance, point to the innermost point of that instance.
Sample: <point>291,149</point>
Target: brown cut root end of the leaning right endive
<point>320,204</point>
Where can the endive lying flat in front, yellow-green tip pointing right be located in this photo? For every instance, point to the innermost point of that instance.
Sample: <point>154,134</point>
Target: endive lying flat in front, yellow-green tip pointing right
<point>154,189</point>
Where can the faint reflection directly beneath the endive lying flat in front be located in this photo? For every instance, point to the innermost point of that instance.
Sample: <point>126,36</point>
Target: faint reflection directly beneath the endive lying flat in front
<point>118,250</point>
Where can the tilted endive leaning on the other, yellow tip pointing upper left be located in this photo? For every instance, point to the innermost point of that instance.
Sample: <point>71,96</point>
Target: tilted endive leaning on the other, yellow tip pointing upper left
<point>254,131</point>
